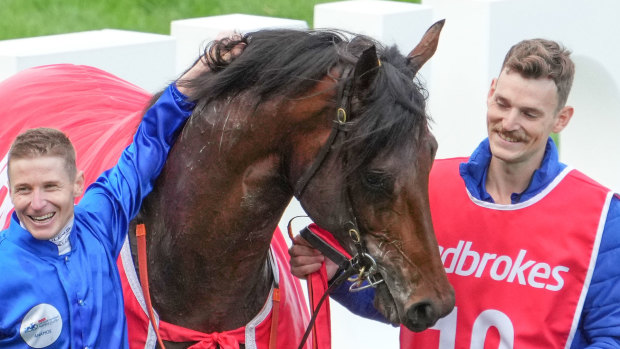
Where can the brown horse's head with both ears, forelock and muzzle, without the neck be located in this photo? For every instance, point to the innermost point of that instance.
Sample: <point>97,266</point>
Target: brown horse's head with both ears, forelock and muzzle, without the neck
<point>370,179</point>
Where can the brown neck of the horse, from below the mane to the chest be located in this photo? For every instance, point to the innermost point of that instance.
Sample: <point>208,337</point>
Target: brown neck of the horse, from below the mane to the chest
<point>231,175</point>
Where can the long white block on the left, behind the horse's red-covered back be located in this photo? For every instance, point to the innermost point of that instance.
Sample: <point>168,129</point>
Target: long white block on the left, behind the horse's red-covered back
<point>144,59</point>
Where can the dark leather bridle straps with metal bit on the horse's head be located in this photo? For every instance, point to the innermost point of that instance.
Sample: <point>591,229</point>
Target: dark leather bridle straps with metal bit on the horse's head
<point>362,264</point>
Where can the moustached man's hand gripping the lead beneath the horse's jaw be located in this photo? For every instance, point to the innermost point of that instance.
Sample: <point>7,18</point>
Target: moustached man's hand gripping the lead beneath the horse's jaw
<point>306,260</point>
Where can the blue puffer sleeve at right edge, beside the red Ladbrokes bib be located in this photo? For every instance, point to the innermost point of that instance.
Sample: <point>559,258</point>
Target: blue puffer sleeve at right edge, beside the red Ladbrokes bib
<point>599,325</point>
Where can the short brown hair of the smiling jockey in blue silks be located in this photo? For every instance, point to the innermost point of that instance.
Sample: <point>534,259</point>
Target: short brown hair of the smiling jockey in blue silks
<point>44,141</point>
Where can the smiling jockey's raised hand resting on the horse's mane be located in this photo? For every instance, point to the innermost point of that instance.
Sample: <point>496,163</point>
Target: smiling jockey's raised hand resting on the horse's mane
<point>201,66</point>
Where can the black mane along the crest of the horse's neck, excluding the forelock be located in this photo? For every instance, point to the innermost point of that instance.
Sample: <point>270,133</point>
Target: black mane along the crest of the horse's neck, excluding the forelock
<point>274,62</point>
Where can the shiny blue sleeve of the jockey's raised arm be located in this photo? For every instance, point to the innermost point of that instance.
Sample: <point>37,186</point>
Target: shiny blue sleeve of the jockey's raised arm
<point>115,197</point>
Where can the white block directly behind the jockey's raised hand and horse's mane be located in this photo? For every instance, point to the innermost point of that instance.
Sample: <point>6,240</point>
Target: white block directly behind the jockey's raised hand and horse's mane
<point>193,34</point>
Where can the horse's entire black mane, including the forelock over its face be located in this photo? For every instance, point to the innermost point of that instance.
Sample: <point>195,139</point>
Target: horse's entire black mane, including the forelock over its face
<point>290,62</point>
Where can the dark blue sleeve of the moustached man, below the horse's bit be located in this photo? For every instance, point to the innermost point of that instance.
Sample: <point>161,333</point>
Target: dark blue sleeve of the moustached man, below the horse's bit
<point>359,303</point>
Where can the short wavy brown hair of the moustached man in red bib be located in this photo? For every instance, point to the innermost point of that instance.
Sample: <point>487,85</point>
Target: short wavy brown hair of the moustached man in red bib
<point>540,58</point>
